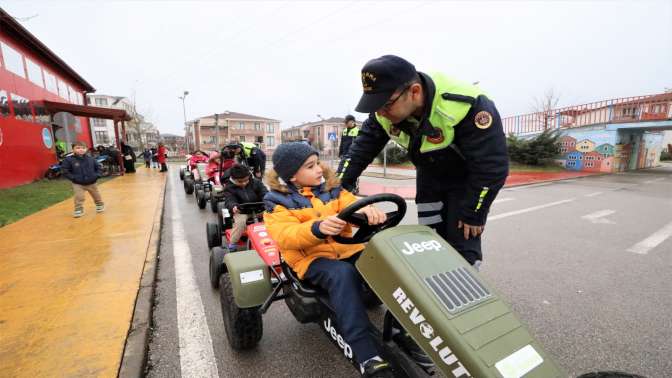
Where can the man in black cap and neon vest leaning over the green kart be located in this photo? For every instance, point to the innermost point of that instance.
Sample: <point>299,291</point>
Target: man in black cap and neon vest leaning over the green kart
<point>454,137</point>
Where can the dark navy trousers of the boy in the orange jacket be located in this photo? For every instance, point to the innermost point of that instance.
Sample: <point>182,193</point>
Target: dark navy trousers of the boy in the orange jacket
<point>342,281</point>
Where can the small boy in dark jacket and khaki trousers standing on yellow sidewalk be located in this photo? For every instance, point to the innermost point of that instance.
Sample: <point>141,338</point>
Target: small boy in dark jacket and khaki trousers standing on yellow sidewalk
<point>83,171</point>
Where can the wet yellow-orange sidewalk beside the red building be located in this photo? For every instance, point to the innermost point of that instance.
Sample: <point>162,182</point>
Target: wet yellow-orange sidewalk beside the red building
<point>68,286</point>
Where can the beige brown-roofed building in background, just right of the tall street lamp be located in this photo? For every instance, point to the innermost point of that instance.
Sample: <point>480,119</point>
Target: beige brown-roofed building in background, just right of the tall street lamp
<point>212,132</point>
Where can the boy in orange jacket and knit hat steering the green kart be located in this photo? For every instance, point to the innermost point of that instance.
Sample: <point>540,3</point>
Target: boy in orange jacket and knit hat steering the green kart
<point>302,209</point>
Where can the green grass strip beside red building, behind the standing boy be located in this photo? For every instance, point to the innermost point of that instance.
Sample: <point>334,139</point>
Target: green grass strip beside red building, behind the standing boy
<point>21,201</point>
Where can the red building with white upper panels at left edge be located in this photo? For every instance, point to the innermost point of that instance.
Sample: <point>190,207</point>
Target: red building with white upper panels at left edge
<point>30,74</point>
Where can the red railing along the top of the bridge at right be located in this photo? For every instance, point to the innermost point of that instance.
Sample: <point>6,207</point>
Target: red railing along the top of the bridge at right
<point>620,110</point>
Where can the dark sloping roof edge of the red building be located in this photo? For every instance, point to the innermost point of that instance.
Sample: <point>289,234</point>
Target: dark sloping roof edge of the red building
<point>12,27</point>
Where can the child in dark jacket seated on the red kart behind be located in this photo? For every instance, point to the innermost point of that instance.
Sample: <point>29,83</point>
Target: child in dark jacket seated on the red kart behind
<point>241,188</point>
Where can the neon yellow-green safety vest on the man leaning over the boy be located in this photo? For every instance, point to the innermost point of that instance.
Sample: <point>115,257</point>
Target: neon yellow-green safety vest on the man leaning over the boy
<point>444,115</point>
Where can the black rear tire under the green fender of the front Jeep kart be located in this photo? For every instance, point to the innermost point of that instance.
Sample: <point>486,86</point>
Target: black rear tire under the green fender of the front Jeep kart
<point>243,326</point>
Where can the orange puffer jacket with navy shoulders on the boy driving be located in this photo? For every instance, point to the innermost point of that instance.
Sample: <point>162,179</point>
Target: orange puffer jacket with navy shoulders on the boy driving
<point>293,216</point>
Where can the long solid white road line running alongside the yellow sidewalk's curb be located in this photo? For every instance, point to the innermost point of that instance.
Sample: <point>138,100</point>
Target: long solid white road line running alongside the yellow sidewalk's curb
<point>197,358</point>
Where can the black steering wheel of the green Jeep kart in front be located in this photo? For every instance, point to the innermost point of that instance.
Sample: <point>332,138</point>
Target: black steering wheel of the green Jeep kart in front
<point>366,231</point>
